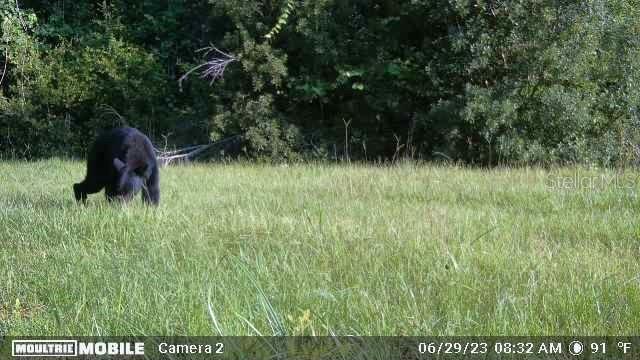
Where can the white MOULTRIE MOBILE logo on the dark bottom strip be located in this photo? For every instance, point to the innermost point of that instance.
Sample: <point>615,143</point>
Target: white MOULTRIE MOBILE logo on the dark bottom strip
<point>68,348</point>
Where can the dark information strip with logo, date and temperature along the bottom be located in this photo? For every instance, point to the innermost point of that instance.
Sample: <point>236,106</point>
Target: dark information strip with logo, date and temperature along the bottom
<point>311,348</point>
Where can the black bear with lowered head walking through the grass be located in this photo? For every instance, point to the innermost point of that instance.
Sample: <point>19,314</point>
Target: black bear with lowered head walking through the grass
<point>123,162</point>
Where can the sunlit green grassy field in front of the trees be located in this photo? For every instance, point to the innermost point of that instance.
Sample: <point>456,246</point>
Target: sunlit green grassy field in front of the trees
<point>323,249</point>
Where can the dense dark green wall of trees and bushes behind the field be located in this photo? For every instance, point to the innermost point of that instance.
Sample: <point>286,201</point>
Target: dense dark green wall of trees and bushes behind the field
<point>484,81</point>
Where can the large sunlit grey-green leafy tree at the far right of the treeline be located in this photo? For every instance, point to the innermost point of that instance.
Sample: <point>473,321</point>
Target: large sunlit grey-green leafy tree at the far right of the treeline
<point>552,75</point>
